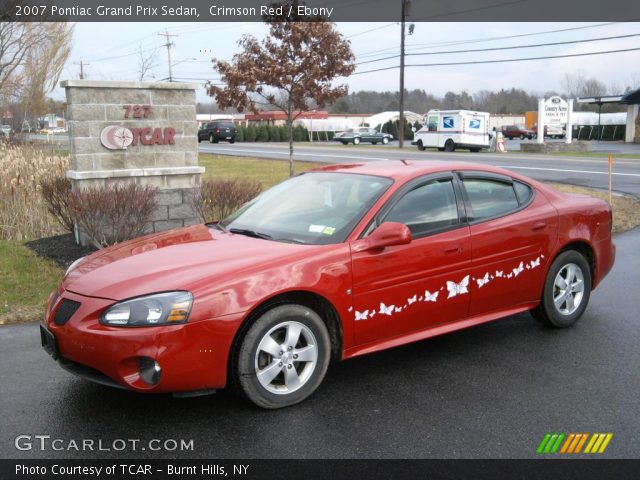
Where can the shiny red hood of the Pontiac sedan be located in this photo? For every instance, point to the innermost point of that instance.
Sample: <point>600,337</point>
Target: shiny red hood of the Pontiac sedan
<point>173,260</point>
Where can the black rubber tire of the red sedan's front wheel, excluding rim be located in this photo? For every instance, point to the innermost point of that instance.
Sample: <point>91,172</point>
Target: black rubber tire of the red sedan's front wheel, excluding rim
<point>246,374</point>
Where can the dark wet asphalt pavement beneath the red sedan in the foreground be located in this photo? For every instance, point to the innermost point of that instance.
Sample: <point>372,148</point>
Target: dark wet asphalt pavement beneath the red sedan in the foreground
<point>492,391</point>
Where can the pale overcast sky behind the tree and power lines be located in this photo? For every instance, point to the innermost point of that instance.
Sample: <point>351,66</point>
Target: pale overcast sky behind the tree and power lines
<point>110,49</point>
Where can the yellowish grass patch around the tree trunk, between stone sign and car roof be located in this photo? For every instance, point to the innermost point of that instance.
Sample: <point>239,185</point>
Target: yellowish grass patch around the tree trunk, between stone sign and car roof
<point>267,172</point>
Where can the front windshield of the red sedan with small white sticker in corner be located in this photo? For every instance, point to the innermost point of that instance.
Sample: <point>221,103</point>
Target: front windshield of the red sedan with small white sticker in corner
<point>316,208</point>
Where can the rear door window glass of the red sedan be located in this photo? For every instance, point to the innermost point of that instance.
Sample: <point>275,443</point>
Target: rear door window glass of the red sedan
<point>489,198</point>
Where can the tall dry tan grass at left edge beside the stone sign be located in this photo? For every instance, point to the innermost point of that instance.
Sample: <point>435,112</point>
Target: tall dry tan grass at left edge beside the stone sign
<point>23,211</point>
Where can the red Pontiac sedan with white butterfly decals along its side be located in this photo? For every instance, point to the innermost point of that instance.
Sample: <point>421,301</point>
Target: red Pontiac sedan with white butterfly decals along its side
<point>334,263</point>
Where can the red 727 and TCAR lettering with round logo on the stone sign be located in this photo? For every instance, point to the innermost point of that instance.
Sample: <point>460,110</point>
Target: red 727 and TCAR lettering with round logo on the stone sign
<point>117,137</point>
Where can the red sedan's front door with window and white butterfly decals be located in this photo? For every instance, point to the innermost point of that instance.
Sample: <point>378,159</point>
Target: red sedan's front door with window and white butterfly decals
<point>412,287</point>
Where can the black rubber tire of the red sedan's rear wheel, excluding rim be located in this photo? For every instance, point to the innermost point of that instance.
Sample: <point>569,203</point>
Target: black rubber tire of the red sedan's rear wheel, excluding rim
<point>554,317</point>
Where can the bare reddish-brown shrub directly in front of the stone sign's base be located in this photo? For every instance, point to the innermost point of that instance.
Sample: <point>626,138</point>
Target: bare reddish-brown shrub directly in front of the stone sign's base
<point>109,215</point>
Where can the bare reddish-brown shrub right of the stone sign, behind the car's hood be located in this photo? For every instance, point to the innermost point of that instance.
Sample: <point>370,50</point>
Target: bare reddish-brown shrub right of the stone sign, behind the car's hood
<point>218,199</point>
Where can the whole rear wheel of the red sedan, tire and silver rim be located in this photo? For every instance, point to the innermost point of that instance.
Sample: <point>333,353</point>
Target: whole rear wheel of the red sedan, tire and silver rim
<point>566,291</point>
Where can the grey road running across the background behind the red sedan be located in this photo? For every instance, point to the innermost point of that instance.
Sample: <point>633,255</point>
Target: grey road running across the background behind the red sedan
<point>585,171</point>
